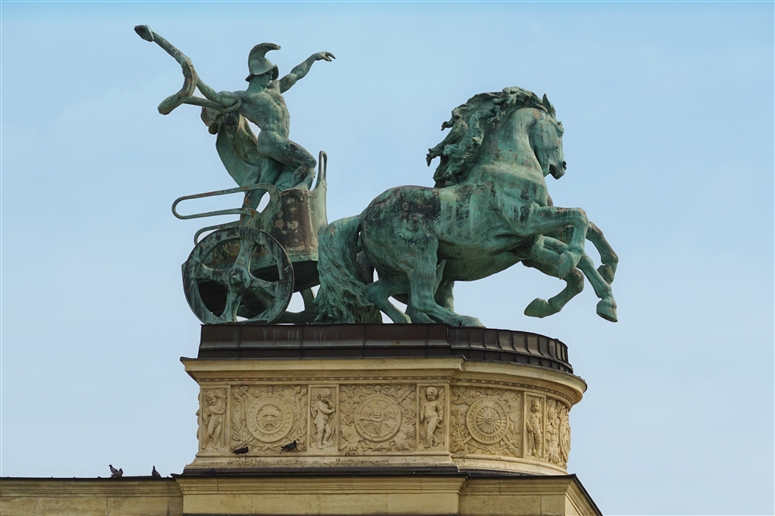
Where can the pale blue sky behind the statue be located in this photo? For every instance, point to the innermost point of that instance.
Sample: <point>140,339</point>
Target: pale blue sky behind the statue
<point>668,110</point>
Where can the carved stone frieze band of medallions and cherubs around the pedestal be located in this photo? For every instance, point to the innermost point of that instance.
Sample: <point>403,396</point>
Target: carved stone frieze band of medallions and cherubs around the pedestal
<point>348,420</point>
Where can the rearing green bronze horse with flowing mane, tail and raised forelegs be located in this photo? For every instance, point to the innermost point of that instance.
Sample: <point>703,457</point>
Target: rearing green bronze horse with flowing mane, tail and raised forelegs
<point>490,209</point>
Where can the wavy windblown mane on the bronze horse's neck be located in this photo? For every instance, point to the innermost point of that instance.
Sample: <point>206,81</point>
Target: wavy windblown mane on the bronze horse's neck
<point>468,125</point>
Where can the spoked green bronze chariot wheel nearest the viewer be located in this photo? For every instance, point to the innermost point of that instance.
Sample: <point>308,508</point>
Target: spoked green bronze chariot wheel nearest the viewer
<point>238,271</point>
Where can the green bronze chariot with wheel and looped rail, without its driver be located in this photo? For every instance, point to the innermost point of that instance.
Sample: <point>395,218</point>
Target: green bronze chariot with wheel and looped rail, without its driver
<point>250,268</point>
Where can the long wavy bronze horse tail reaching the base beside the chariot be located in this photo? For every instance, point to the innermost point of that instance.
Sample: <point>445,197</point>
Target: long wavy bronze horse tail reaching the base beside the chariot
<point>342,296</point>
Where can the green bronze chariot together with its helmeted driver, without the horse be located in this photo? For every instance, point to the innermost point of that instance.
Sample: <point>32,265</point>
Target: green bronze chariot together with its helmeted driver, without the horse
<point>248,269</point>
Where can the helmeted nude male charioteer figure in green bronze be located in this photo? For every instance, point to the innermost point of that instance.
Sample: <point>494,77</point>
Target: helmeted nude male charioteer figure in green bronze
<point>263,104</point>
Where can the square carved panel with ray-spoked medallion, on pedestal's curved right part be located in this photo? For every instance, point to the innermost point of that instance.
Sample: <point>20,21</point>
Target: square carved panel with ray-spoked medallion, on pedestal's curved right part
<point>486,421</point>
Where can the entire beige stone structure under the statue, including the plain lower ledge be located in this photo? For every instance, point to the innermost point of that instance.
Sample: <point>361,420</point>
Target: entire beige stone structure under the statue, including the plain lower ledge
<point>357,419</point>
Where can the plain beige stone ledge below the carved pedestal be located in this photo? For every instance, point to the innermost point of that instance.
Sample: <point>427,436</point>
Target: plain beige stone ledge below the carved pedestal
<point>456,493</point>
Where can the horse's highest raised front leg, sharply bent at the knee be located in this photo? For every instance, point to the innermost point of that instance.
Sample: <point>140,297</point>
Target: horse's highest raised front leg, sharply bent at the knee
<point>542,220</point>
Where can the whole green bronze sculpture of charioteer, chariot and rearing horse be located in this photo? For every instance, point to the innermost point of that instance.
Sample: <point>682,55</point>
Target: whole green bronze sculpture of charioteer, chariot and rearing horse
<point>489,210</point>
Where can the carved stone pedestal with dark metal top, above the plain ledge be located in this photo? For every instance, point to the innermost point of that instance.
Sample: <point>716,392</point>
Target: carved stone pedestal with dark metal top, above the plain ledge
<point>381,399</point>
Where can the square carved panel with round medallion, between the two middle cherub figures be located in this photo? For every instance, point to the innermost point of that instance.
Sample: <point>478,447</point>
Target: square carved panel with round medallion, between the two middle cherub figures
<point>377,418</point>
